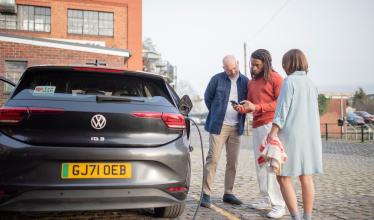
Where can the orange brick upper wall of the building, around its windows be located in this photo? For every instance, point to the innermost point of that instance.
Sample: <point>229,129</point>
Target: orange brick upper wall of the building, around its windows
<point>127,25</point>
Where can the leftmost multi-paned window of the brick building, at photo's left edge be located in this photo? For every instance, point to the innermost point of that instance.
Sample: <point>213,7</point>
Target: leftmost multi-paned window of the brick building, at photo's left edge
<point>28,18</point>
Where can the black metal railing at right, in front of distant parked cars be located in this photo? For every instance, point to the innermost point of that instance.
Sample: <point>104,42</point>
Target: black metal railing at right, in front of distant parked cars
<point>364,132</point>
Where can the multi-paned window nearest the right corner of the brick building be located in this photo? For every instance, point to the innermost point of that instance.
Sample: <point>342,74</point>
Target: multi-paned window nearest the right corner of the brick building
<point>90,22</point>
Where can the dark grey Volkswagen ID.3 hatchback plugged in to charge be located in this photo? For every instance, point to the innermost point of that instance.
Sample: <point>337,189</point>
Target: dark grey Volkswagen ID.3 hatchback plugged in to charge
<point>82,138</point>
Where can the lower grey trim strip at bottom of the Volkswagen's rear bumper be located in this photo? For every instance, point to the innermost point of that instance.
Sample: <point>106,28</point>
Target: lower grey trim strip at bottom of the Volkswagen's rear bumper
<point>80,200</point>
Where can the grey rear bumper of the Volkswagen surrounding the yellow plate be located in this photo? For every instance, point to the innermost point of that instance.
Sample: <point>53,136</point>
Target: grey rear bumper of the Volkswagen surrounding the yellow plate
<point>30,177</point>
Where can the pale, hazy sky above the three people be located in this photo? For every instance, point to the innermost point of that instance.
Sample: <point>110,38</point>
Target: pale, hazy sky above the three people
<point>337,37</point>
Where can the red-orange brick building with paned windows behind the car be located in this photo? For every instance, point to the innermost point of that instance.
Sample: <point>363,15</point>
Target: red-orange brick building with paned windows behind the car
<point>69,32</point>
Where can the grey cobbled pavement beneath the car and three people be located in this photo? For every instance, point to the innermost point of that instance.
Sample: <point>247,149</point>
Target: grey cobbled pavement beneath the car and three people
<point>344,191</point>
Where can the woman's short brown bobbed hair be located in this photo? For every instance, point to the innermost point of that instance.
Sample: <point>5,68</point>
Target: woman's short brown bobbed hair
<point>294,60</point>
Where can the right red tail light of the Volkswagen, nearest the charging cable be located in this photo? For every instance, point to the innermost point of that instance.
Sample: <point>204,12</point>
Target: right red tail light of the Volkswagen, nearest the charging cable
<point>172,120</point>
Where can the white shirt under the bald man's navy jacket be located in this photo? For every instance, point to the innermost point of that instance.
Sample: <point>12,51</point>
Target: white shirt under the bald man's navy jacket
<point>231,116</point>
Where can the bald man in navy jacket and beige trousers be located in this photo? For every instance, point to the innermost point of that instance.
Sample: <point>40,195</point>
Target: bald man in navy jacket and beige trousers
<point>225,126</point>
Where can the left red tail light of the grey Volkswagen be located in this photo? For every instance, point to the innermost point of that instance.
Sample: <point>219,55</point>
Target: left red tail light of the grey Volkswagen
<point>14,115</point>
